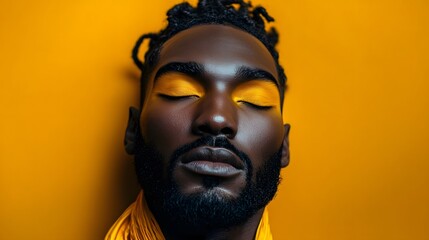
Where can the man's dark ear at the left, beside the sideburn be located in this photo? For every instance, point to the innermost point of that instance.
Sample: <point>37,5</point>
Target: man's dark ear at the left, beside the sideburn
<point>132,133</point>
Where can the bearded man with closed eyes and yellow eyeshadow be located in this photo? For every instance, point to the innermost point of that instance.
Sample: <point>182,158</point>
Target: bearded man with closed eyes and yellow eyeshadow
<point>208,140</point>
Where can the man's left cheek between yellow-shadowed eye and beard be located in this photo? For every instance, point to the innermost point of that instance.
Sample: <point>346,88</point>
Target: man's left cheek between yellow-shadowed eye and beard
<point>165,127</point>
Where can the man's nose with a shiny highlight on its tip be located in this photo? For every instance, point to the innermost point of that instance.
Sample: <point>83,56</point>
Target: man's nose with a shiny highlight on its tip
<point>215,116</point>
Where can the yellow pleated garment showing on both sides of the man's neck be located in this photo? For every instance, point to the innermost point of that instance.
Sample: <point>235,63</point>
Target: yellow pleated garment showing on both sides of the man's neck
<point>138,223</point>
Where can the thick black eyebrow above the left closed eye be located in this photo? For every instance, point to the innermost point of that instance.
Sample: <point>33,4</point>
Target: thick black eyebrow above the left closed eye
<point>189,68</point>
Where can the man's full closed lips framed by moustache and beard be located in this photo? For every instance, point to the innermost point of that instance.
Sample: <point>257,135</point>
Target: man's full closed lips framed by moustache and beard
<point>212,161</point>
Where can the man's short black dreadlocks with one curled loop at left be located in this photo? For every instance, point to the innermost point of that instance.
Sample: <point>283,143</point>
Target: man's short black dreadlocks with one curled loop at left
<point>182,16</point>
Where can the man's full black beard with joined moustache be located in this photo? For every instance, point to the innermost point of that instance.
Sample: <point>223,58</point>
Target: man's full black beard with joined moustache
<point>210,209</point>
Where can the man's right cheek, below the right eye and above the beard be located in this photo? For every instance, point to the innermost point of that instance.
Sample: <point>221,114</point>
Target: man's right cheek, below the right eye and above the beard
<point>260,136</point>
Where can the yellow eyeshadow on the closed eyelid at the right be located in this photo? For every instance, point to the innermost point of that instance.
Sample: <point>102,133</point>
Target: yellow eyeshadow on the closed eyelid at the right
<point>262,94</point>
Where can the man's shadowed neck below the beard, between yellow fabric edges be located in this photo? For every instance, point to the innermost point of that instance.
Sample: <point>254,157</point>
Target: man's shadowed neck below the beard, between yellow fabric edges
<point>245,231</point>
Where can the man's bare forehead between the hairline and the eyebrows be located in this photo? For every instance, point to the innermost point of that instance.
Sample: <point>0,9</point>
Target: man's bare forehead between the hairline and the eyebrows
<point>220,49</point>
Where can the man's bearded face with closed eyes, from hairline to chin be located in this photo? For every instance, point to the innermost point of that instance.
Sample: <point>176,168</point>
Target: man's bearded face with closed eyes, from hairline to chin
<point>211,122</point>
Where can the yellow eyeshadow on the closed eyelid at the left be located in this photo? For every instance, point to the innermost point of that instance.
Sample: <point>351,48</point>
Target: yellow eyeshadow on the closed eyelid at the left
<point>178,85</point>
